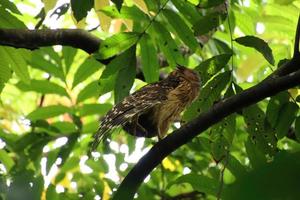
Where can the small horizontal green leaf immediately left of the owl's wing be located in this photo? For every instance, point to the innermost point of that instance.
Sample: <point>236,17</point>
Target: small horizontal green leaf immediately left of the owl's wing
<point>92,109</point>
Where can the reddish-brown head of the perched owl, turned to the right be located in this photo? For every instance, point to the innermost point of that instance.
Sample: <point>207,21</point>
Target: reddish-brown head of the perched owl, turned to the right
<point>188,74</point>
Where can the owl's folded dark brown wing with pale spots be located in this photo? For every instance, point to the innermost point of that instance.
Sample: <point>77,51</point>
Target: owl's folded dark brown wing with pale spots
<point>135,104</point>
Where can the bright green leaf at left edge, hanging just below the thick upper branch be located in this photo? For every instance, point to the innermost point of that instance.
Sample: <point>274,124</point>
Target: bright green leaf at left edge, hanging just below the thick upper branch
<point>13,58</point>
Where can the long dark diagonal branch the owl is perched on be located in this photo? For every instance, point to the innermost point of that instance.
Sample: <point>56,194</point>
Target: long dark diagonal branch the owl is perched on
<point>186,133</point>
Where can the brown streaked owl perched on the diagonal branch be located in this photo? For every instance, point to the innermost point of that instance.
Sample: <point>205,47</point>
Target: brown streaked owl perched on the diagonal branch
<point>150,110</point>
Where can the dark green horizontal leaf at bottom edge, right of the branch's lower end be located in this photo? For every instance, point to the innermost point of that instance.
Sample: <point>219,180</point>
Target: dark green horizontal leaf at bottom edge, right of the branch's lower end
<point>200,183</point>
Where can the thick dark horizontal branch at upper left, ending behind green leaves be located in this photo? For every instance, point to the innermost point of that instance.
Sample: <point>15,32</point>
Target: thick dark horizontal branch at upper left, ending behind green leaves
<point>33,39</point>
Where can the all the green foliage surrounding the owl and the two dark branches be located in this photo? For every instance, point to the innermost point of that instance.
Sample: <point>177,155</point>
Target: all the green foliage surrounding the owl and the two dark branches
<point>52,99</point>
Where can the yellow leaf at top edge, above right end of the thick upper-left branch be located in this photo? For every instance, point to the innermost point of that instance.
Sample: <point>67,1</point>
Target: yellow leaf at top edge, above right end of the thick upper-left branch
<point>104,20</point>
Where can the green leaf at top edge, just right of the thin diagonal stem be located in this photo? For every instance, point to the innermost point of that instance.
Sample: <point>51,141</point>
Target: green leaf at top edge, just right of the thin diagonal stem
<point>187,10</point>
